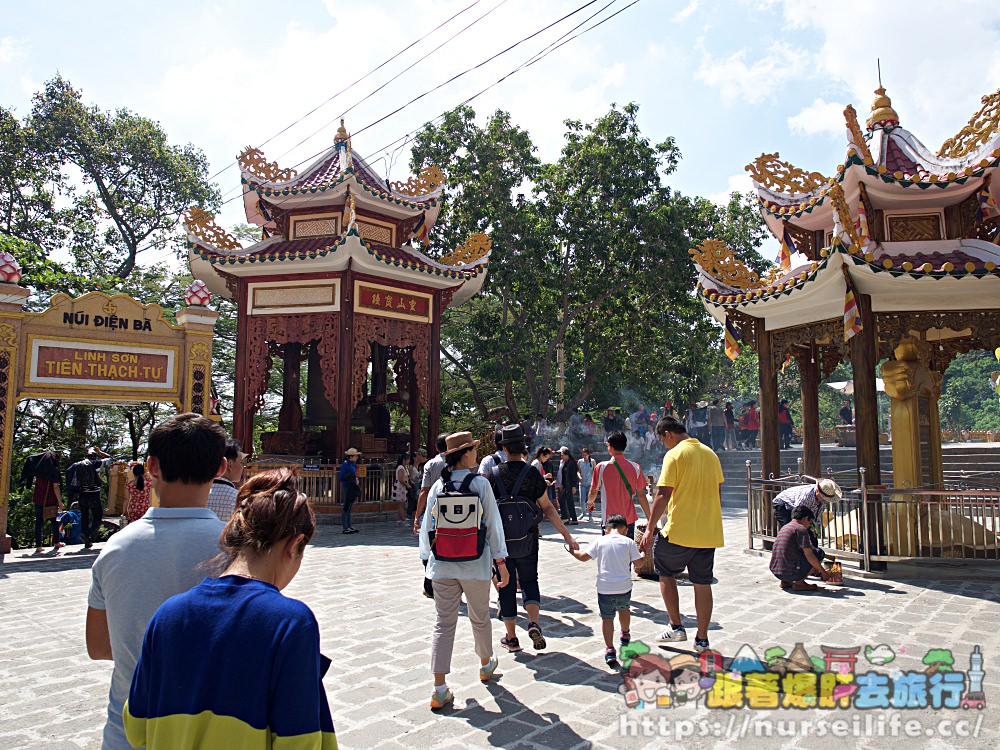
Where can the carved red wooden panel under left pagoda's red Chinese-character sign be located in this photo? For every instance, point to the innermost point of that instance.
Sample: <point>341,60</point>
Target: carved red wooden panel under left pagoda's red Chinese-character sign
<point>391,332</point>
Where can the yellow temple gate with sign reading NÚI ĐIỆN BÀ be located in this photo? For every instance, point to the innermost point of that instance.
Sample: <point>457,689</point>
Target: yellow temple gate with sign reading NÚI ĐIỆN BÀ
<point>100,349</point>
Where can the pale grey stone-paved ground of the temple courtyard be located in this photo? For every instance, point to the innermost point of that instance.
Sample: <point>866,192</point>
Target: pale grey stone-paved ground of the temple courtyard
<point>376,627</point>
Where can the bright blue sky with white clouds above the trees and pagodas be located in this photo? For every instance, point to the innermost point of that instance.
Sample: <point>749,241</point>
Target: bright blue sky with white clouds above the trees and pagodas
<point>728,80</point>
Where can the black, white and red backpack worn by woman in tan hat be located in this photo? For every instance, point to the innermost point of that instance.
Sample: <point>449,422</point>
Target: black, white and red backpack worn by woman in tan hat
<point>458,533</point>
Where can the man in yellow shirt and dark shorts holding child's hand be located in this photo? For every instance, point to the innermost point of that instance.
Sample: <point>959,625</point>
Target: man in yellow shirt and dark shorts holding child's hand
<point>690,490</point>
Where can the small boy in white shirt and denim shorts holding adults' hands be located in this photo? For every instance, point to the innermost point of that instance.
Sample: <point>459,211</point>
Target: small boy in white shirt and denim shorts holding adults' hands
<point>615,554</point>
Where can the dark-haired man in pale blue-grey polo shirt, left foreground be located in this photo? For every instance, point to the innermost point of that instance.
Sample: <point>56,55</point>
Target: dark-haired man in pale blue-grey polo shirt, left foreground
<point>163,553</point>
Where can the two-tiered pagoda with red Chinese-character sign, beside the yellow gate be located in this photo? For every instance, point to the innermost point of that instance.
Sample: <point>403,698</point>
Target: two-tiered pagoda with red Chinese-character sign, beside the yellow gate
<point>336,290</point>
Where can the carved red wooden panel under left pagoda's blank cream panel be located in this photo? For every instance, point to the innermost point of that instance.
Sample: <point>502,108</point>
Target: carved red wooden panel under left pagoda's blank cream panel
<point>266,334</point>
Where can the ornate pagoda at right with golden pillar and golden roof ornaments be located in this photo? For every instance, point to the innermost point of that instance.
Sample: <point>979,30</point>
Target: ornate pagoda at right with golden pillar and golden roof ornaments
<point>893,257</point>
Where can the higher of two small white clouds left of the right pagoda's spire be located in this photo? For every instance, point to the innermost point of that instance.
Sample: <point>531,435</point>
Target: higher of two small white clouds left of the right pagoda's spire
<point>752,82</point>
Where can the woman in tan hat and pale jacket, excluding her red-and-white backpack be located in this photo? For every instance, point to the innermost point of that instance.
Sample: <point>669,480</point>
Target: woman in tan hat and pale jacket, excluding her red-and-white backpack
<point>471,578</point>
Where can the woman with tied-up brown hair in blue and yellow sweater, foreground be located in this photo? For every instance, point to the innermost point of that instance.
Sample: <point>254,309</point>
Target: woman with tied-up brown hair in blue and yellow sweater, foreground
<point>233,663</point>
